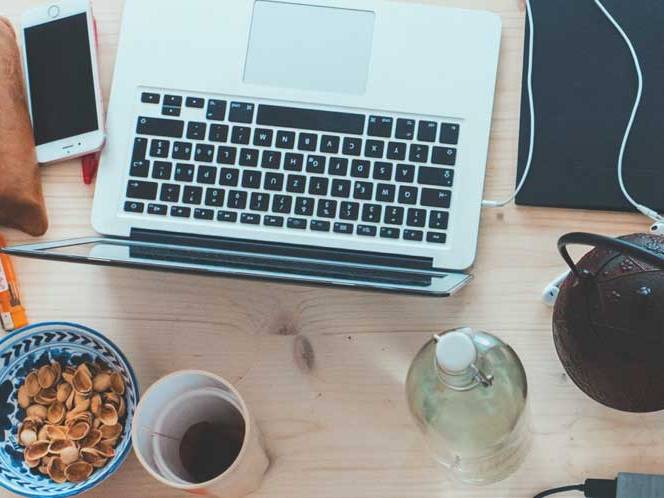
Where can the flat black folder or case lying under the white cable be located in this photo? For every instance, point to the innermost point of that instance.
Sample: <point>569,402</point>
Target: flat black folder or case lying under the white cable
<point>584,85</point>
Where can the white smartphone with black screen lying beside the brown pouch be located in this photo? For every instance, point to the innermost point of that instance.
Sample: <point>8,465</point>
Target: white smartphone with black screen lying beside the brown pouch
<point>62,79</point>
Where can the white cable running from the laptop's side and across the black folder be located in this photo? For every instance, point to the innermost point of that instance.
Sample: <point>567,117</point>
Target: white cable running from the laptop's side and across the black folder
<point>658,227</point>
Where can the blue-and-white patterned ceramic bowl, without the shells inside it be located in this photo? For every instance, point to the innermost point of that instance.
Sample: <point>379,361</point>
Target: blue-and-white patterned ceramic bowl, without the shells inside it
<point>28,349</point>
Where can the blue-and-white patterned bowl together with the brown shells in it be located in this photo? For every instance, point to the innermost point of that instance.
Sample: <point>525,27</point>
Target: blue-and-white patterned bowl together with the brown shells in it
<point>67,399</point>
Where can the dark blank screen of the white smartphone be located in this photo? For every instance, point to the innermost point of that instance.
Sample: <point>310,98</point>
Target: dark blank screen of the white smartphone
<point>62,91</point>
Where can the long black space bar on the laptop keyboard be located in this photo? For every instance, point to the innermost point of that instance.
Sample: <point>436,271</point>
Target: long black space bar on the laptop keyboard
<point>310,119</point>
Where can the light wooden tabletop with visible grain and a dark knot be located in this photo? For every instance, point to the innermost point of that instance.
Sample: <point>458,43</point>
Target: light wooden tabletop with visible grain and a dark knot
<point>324,369</point>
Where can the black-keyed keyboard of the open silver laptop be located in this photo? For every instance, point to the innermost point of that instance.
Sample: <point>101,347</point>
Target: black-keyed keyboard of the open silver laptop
<point>227,160</point>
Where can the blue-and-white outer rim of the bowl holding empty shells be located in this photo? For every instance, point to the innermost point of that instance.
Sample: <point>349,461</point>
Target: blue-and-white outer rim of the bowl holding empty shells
<point>119,459</point>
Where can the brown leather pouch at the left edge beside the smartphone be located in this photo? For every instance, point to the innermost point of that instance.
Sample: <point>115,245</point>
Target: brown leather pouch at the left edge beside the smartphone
<point>21,198</point>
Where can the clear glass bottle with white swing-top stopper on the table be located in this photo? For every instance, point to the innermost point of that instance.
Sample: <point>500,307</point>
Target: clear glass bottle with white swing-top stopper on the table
<point>467,391</point>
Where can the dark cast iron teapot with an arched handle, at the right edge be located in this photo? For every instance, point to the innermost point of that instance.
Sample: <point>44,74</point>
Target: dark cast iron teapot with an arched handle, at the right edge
<point>608,321</point>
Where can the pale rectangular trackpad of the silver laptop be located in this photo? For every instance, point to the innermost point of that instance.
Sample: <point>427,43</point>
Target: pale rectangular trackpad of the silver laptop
<point>309,47</point>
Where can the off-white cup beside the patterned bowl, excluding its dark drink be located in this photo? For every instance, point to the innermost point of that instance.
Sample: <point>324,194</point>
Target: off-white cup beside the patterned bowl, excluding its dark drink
<point>181,400</point>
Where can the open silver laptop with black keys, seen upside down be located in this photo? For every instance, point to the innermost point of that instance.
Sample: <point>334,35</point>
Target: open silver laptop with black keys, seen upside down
<point>326,142</point>
